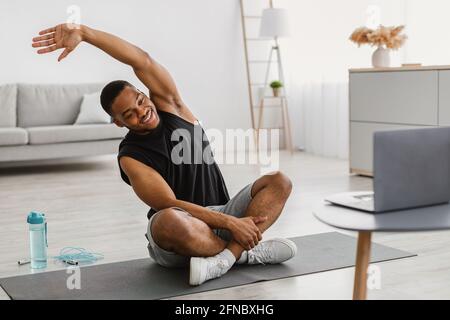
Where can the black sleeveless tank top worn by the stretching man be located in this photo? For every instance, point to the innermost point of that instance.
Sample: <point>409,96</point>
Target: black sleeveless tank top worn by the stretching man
<point>180,152</point>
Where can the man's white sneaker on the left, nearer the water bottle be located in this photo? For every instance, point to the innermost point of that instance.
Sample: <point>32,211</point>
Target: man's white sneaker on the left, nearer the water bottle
<point>203,269</point>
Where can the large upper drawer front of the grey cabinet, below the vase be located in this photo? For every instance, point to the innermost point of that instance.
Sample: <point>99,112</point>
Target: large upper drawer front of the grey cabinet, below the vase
<point>405,97</point>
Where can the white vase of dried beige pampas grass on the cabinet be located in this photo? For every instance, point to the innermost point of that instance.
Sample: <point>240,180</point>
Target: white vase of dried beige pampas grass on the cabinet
<point>384,38</point>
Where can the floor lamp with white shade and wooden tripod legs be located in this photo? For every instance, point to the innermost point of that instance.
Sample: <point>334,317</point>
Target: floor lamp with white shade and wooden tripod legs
<point>275,24</point>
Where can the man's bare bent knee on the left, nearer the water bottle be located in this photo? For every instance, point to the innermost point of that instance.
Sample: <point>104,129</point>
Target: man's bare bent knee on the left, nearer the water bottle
<point>169,227</point>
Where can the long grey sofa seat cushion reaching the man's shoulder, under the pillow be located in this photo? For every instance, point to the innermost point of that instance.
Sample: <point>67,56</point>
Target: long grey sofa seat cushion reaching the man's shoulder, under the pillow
<point>71,133</point>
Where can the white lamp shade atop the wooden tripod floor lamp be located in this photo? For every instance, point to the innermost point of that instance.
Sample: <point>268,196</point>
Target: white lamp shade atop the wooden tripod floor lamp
<point>274,23</point>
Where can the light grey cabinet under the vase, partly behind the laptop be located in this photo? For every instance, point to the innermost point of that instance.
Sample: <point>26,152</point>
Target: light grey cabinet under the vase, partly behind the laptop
<point>390,99</point>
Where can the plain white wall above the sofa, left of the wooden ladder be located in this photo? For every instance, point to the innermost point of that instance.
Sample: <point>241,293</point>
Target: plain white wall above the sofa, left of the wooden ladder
<point>198,41</point>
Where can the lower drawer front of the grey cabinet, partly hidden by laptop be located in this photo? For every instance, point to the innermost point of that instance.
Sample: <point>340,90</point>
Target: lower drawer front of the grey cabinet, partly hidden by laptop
<point>361,143</point>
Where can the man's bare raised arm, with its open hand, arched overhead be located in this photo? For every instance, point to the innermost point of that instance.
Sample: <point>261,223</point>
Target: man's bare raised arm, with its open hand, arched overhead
<point>153,75</point>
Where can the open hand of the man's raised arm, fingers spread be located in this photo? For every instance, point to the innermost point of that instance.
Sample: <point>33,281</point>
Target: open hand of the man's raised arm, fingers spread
<point>66,36</point>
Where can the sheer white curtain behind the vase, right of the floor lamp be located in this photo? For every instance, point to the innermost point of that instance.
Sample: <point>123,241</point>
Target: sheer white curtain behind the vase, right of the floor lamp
<point>317,58</point>
